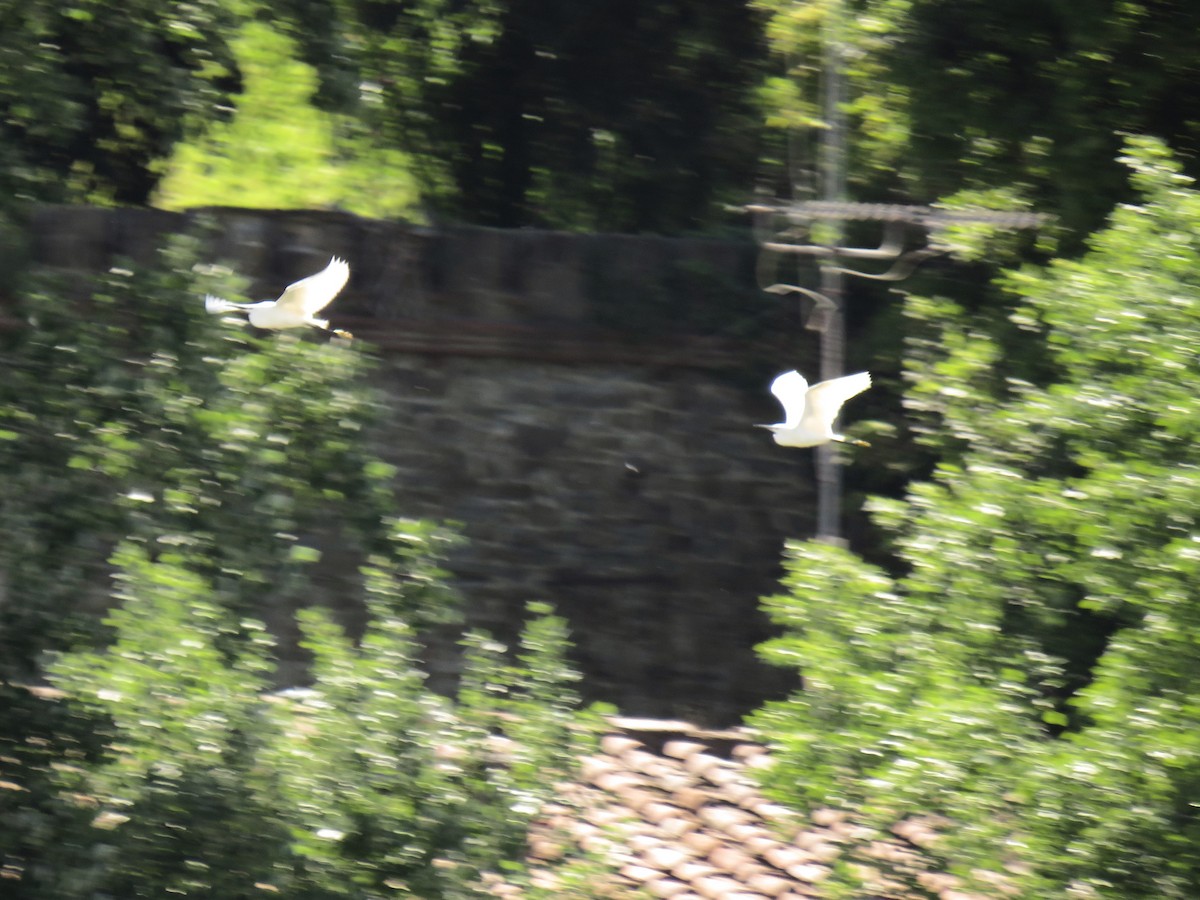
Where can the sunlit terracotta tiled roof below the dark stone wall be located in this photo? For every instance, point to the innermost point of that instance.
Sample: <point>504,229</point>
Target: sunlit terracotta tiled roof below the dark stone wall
<point>674,812</point>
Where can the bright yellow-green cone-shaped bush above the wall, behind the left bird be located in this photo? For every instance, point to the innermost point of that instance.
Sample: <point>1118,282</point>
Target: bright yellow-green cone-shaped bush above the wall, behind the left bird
<point>280,152</point>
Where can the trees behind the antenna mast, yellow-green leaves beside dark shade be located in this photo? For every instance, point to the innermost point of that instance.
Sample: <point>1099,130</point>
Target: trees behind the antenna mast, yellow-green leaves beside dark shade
<point>952,99</point>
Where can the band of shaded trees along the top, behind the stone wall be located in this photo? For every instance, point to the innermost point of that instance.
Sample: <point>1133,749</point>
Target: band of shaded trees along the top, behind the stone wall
<point>631,117</point>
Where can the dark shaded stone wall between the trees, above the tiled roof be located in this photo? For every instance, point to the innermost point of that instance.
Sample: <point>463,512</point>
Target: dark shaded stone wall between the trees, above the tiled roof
<point>583,405</point>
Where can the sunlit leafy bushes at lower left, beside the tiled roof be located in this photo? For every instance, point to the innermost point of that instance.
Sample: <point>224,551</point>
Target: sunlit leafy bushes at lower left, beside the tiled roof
<point>364,785</point>
